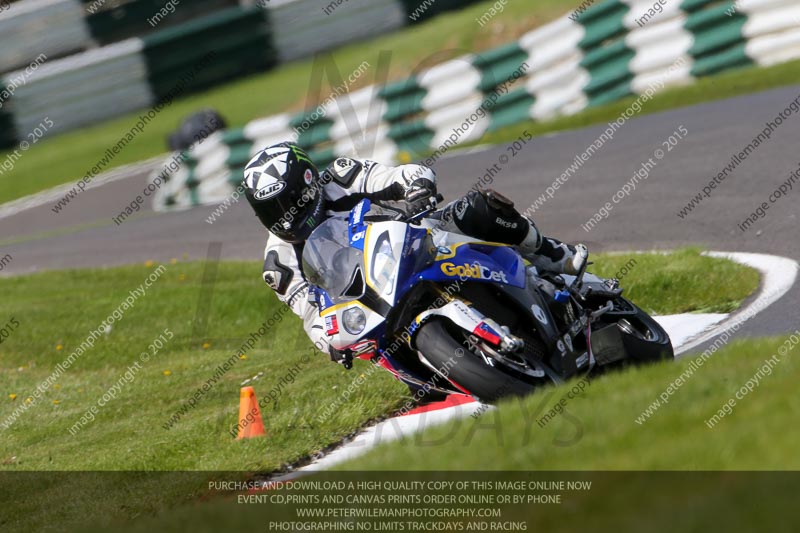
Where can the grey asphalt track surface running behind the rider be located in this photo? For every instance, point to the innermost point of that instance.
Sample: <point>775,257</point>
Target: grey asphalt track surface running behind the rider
<point>83,235</point>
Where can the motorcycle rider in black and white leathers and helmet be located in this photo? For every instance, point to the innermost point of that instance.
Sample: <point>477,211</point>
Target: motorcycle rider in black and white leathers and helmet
<point>291,198</point>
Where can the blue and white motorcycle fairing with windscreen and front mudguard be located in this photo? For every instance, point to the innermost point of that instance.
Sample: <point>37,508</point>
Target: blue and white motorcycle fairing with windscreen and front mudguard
<point>361,269</point>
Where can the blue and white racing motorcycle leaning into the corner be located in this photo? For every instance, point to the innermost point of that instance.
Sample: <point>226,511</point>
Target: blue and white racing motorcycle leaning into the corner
<point>448,314</point>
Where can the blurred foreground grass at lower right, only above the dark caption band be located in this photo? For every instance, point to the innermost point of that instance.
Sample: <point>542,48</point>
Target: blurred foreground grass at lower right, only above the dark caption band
<point>602,428</point>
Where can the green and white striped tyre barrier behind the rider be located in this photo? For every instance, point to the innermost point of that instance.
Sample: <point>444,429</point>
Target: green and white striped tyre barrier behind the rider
<point>612,50</point>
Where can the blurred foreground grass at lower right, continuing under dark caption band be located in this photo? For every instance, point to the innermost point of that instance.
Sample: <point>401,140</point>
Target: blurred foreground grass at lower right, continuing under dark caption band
<point>640,474</point>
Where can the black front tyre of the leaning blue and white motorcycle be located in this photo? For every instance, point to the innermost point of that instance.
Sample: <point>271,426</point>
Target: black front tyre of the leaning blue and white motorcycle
<point>465,368</point>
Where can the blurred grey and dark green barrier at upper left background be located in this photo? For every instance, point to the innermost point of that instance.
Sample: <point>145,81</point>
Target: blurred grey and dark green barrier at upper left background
<point>150,46</point>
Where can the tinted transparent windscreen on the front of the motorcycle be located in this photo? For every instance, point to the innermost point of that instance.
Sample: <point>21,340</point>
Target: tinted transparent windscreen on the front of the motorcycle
<point>331,264</point>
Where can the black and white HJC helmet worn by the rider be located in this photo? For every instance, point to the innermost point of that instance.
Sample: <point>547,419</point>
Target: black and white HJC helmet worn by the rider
<point>282,186</point>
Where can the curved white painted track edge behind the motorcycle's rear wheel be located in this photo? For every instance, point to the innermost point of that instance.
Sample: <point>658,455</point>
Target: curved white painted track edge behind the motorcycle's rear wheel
<point>778,275</point>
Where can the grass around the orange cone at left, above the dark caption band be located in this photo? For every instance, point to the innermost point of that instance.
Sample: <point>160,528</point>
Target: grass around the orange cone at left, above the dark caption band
<point>128,432</point>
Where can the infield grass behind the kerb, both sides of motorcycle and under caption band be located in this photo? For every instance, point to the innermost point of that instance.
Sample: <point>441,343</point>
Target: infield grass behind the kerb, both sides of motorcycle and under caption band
<point>131,430</point>
